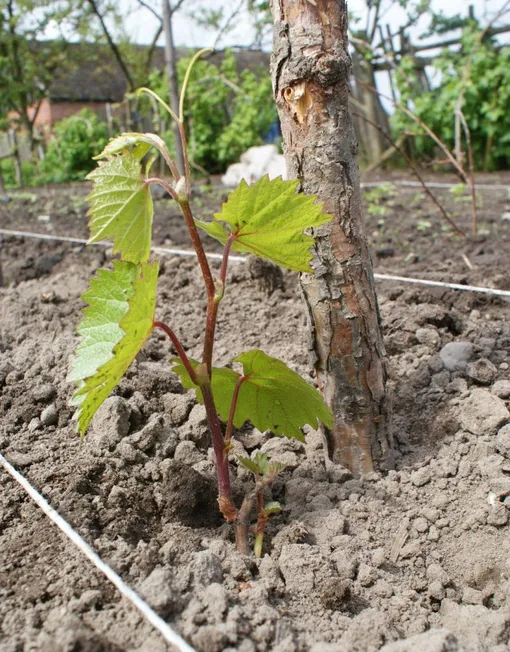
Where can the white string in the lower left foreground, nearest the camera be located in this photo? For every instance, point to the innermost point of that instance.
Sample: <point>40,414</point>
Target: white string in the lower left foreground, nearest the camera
<point>158,623</point>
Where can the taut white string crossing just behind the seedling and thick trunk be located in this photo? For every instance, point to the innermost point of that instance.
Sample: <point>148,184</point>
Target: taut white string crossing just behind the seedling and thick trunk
<point>243,259</point>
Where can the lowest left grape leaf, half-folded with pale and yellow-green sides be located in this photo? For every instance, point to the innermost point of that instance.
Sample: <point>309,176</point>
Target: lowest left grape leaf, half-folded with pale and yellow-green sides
<point>117,322</point>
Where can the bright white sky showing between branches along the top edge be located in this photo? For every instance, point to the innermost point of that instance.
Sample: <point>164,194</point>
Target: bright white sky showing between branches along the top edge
<point>141,25</point>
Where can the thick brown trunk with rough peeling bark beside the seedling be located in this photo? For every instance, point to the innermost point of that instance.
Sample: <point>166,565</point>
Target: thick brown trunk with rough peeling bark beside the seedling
<point>310,72</point>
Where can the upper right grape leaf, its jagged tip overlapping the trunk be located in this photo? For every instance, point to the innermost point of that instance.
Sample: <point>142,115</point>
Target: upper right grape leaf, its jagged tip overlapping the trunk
<point>268,219</point>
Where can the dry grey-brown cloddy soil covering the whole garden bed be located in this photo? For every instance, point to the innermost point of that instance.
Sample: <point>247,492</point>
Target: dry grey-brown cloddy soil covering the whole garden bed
<point>413,559</point>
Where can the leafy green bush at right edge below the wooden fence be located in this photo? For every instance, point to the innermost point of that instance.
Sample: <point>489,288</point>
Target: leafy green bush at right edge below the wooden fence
<point>485,105</point>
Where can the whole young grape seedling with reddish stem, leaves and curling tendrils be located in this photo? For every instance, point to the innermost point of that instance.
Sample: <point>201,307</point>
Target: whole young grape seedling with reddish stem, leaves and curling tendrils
<point>267,219</point>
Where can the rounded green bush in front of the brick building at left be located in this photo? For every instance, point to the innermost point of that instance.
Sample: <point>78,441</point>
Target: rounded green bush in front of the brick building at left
<point>74,142</point>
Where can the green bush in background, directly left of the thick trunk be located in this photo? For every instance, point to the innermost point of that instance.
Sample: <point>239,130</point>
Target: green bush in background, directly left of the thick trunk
<point>226,112</point>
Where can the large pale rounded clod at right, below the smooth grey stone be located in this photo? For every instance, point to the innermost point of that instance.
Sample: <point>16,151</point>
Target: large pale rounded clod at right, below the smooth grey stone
<point>482,413</point>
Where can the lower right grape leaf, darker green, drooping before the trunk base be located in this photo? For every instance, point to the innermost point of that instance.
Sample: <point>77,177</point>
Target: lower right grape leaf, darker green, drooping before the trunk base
<point>272,396</point>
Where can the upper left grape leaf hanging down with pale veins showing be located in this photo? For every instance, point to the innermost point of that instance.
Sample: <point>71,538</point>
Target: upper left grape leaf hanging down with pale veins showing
<point>121,207</point>
